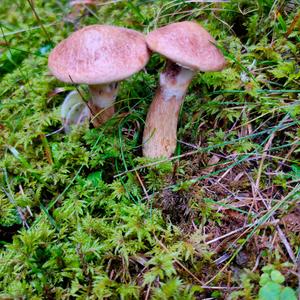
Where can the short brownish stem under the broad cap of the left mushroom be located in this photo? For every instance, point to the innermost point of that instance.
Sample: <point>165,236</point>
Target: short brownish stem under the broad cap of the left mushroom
<point>102,102</point>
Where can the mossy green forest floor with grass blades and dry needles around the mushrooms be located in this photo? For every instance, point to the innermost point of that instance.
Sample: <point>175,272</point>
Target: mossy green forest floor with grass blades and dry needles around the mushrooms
<point>84,215</point>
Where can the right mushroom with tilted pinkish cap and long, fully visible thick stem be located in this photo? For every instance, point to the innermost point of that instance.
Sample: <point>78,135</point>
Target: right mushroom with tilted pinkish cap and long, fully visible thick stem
<point>188,48</point>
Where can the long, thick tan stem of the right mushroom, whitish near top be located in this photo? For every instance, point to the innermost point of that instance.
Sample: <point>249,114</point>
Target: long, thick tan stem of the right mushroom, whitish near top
<point>160,132</point>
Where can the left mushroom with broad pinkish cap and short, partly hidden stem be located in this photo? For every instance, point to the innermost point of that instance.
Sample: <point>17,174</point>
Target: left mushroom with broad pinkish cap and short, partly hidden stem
<point>100,56</point>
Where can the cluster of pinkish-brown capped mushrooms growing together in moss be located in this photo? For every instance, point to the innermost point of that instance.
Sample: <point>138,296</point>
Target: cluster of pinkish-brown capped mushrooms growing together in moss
<point>102,55</point>
